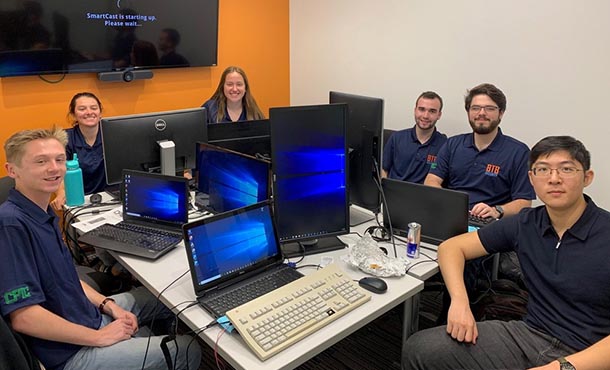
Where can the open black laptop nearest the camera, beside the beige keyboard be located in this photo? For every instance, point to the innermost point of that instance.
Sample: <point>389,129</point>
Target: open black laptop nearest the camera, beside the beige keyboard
<point>235,256</point>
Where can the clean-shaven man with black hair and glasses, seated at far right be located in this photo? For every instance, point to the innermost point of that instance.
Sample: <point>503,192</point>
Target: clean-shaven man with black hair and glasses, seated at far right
<point>563,250</point>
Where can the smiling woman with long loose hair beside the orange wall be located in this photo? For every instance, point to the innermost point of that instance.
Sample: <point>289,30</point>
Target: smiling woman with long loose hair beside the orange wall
<point>232,100</point>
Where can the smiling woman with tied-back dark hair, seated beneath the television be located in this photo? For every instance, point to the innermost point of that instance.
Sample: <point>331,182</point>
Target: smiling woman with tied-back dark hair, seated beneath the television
<point>85,139</point>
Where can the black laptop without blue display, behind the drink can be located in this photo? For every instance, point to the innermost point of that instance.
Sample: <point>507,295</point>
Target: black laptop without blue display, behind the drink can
<point>442,213</point>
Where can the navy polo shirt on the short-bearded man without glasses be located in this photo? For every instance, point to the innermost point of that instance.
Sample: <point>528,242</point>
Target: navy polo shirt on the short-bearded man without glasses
<point>405,158</point>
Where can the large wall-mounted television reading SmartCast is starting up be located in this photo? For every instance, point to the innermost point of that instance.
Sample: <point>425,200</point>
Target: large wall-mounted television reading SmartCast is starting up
<point>72,36</point>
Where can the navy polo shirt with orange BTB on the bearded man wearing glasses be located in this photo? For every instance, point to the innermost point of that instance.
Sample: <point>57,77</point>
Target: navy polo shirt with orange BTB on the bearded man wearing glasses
<point>495,175</point>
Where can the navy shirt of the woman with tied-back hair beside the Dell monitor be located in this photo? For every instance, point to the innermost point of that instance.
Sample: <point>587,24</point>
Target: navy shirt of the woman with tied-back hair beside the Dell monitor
<point>90,159</point>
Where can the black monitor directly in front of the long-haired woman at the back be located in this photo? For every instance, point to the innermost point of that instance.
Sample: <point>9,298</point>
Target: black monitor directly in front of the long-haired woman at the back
<point>249,137</point>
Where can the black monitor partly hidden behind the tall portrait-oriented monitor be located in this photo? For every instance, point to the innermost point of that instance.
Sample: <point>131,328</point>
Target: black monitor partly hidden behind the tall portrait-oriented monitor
<point>364,137</point>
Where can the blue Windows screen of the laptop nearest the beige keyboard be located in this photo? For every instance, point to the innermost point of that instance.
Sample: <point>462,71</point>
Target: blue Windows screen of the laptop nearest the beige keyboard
<point>225,246</point>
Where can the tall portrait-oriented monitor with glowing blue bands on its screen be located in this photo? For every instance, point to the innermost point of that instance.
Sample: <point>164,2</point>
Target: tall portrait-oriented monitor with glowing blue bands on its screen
<point>309,166</point>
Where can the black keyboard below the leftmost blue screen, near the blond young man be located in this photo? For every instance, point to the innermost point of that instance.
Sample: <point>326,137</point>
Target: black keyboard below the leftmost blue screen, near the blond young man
<point>138,236</point>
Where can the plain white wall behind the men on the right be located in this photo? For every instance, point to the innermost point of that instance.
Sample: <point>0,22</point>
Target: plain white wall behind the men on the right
<point>551,58</point>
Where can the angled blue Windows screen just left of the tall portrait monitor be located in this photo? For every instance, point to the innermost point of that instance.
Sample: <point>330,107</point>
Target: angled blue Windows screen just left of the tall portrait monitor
<point>229,180</point>
